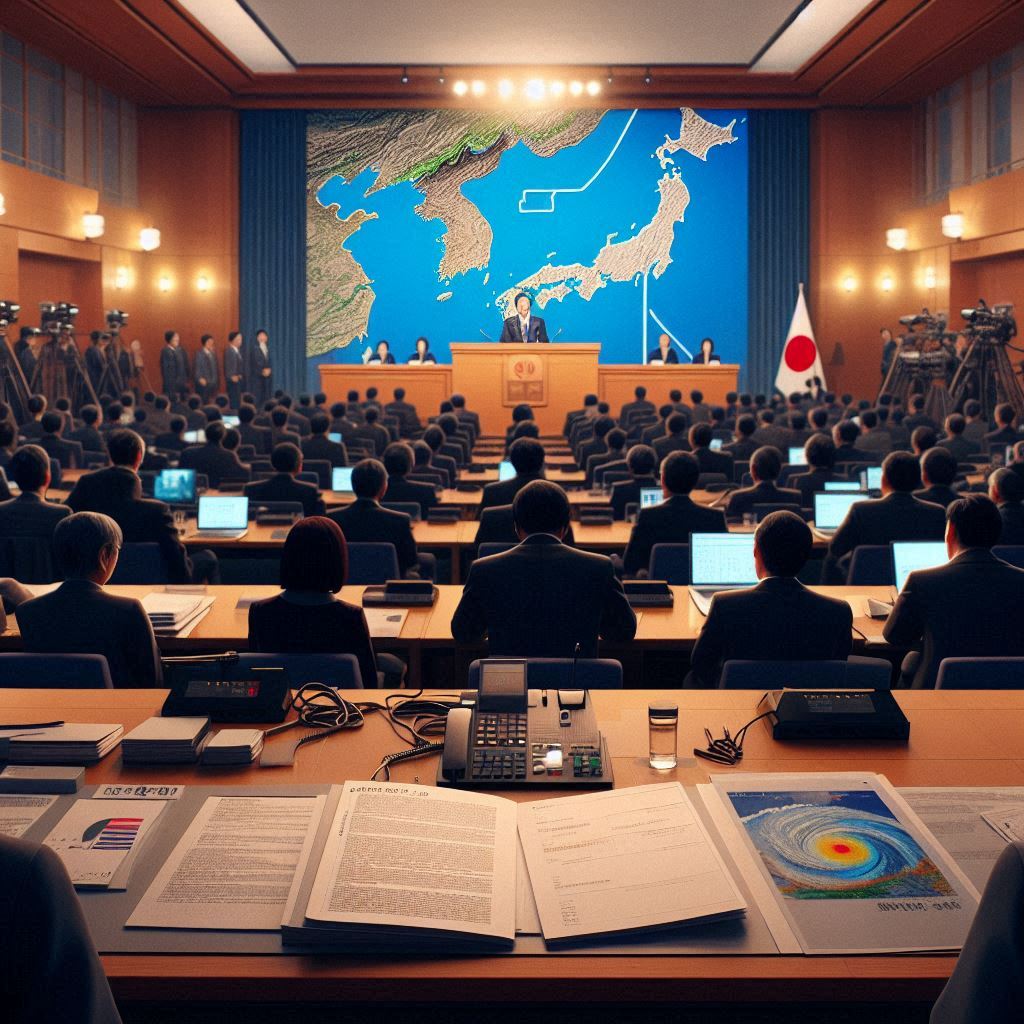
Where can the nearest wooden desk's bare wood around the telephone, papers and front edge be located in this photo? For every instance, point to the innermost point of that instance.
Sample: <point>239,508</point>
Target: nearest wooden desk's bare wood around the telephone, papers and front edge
<point>951,745</point>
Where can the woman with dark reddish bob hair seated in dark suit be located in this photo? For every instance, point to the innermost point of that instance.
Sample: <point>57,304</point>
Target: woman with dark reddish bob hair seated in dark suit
<point>307,618</point>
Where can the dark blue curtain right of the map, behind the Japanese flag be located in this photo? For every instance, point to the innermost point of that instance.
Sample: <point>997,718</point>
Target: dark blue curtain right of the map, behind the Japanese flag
<point>779,243</point>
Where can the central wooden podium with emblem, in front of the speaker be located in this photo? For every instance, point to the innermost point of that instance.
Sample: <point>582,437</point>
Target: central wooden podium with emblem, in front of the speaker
<point>552,378</point>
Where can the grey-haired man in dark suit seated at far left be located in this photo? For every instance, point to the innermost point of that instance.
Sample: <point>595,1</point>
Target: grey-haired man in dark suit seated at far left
<point>80,618</point>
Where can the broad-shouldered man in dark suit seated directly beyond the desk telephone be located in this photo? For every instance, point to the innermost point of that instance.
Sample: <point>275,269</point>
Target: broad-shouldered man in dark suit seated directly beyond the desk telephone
<point>543,599</point>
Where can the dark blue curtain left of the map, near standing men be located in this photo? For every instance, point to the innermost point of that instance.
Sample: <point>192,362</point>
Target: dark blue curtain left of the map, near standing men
<point>273,239</point>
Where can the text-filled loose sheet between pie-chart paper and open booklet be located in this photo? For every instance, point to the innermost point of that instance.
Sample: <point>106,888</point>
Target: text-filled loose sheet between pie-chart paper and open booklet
<point>235,867</point>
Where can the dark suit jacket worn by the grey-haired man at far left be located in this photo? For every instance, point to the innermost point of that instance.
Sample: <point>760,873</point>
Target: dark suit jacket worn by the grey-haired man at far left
<point>80,618</point>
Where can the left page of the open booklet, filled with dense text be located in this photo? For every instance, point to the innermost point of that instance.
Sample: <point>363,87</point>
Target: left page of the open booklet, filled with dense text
<point>419,858</point>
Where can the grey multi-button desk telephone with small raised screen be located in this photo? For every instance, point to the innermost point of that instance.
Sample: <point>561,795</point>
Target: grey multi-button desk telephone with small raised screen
<point>508,736</point>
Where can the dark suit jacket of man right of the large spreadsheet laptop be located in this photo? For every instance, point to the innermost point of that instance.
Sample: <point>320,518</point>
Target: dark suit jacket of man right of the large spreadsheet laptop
<point>780,620</point>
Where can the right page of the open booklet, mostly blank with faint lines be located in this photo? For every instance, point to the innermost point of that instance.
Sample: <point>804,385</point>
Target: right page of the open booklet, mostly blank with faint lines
<point>621,861</point>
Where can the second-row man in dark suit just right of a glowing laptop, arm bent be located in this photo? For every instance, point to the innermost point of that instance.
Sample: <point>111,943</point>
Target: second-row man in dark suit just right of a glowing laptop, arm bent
<point>895,517</point>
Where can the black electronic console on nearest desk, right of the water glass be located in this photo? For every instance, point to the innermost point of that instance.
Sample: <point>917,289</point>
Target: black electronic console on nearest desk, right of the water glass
<point>835,715</point>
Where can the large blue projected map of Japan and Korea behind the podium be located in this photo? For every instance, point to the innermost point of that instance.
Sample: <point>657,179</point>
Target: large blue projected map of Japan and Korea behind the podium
<point>432,222</point>
